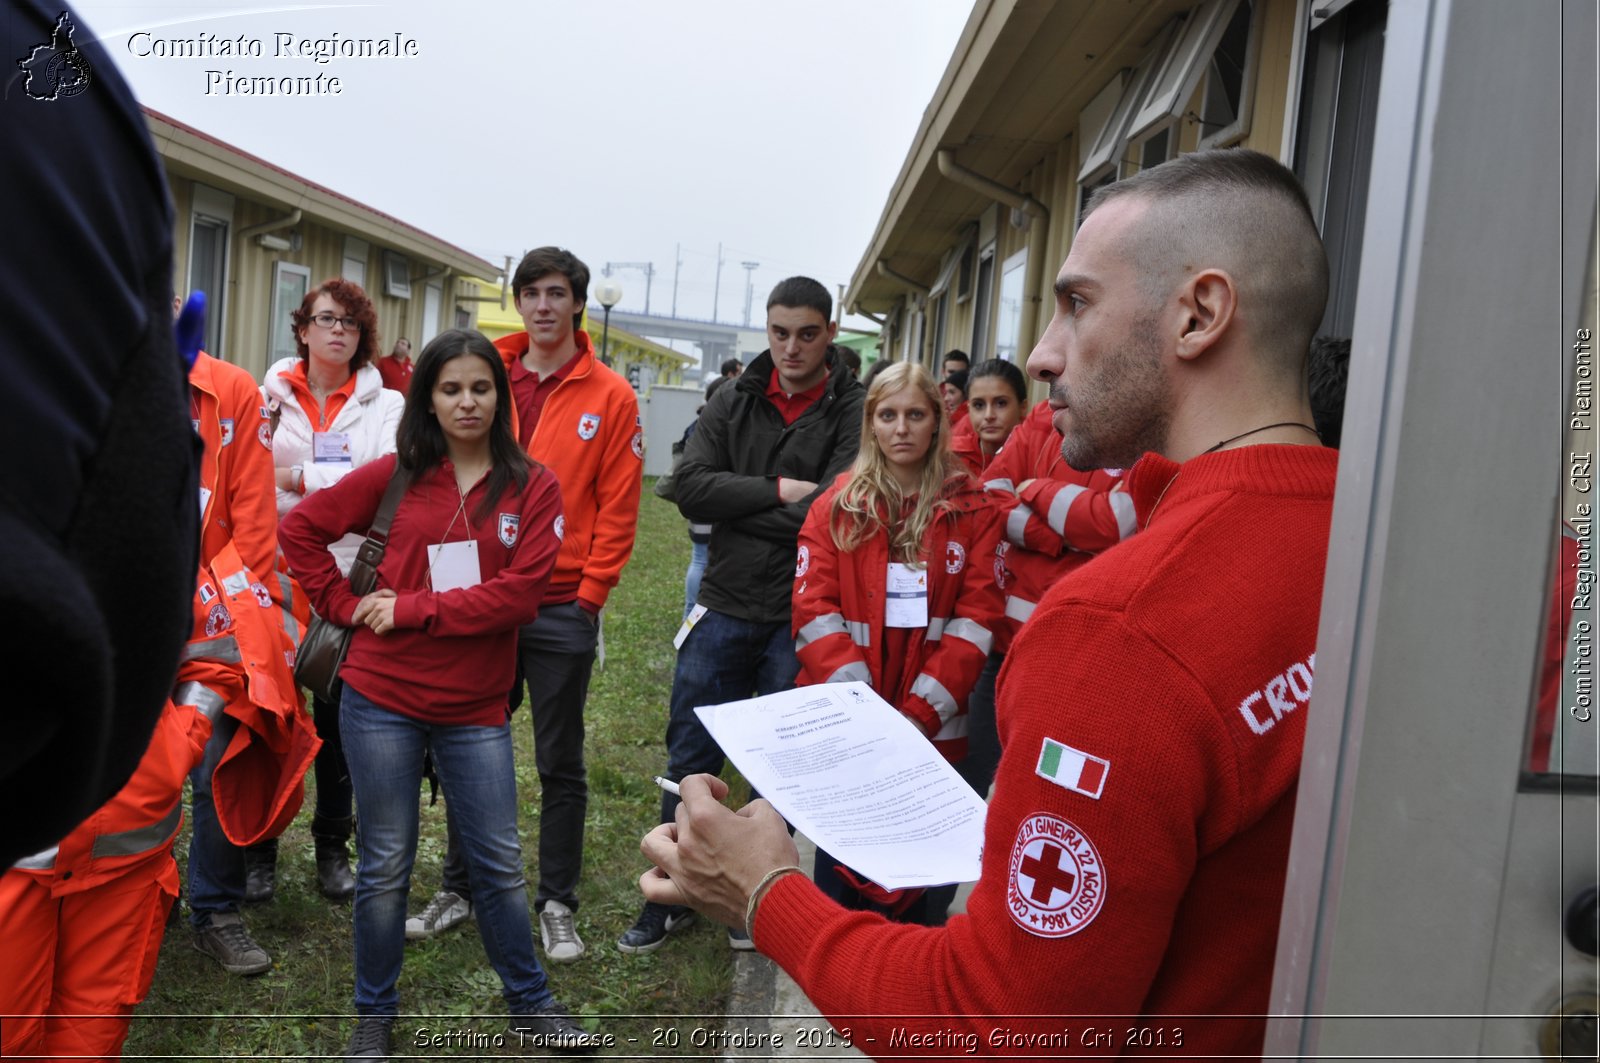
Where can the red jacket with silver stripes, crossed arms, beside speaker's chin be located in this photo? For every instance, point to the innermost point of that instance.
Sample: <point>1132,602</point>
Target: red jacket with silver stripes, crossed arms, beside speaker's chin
<point>1063,518</point>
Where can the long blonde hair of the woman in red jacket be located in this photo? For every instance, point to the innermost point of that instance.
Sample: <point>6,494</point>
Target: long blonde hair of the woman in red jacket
<point>873,494</point>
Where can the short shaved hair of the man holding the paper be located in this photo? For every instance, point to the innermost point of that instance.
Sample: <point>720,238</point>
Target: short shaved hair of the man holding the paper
<point>1250,214</point>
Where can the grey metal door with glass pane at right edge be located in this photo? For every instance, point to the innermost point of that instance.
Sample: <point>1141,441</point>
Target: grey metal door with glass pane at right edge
<point>1433,873</point>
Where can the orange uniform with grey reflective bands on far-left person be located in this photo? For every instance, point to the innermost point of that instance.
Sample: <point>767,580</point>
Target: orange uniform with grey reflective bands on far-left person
<point>82,923</point>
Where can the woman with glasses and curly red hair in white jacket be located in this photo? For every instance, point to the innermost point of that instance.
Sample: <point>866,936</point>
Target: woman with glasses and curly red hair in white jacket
<point>330,415</point>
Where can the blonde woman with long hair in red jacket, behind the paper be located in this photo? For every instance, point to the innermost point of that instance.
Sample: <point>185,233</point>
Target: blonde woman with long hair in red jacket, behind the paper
<point>895,584</point>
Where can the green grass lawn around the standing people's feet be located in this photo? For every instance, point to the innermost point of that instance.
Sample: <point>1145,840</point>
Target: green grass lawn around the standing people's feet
<point>302,1008</point>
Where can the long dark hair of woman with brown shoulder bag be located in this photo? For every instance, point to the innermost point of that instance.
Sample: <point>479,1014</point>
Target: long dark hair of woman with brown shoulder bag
<point>420,443</point>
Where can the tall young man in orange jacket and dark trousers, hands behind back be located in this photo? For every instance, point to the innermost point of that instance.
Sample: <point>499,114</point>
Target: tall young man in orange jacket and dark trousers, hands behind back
<point>580,420</point>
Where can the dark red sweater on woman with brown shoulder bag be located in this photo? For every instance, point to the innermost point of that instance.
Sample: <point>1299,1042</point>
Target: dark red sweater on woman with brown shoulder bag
<point>452,657</point>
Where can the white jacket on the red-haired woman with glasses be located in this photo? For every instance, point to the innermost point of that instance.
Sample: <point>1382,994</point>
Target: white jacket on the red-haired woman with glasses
<point>372,419</point>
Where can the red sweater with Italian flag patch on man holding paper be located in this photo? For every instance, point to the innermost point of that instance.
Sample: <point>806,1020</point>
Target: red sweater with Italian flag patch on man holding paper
<point>1153,889</point>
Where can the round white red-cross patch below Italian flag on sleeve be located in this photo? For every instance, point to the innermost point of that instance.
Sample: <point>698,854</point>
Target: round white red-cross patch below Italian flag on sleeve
<point>1057,881</point>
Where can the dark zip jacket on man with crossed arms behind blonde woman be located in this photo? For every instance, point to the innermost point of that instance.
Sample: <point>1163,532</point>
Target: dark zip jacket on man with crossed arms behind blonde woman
<point>729,478</point>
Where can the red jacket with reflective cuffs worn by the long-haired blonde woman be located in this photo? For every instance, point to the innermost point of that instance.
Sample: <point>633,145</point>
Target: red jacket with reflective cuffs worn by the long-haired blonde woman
<point>839,603</point>
